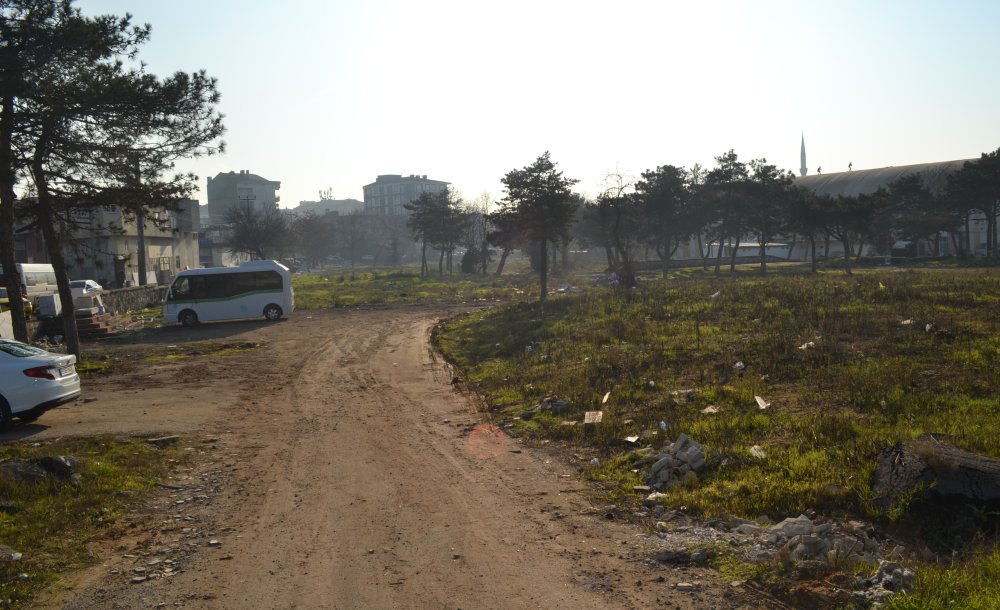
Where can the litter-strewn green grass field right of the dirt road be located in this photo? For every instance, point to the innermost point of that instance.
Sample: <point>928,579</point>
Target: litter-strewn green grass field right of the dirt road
<point>849,365</point>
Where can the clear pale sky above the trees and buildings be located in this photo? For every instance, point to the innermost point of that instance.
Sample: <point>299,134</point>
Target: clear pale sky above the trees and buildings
<point>331,93</point>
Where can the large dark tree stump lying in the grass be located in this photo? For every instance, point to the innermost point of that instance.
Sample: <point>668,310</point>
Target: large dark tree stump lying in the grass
<point>933,468</point>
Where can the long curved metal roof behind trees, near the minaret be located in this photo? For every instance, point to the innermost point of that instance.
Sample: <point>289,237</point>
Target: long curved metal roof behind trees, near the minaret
<point>864,181</point>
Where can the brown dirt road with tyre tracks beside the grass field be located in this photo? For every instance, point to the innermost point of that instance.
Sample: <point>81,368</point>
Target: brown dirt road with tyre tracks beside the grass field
<point>338,467</point>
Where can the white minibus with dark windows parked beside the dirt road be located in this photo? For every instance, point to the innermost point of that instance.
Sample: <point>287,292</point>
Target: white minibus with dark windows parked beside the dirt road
<point>255,288</point>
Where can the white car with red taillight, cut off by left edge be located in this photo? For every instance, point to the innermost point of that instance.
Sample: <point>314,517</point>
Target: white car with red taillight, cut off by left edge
<point>32,381</point>
